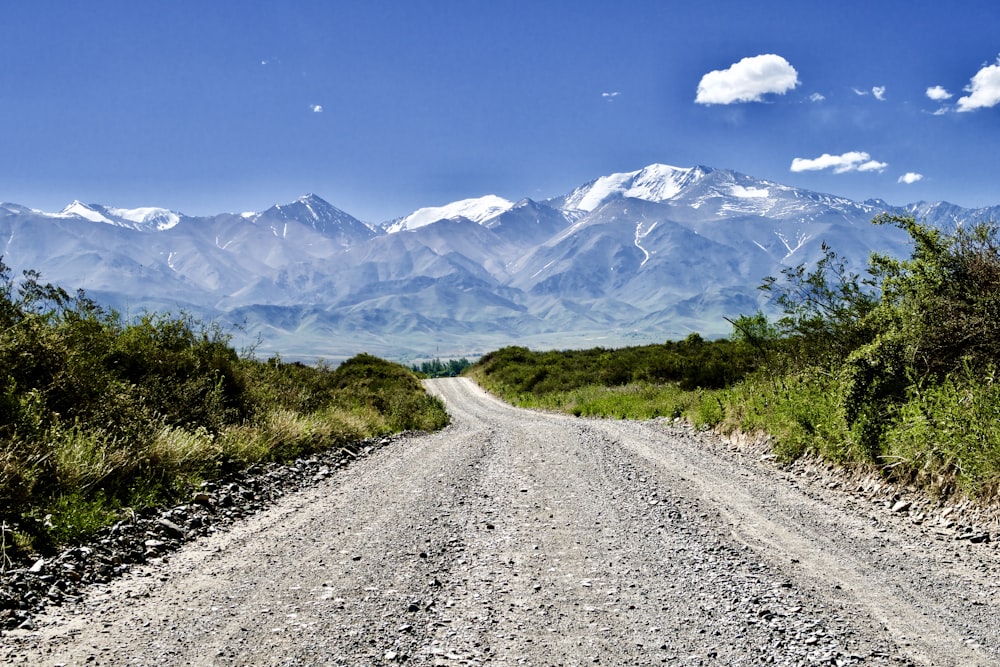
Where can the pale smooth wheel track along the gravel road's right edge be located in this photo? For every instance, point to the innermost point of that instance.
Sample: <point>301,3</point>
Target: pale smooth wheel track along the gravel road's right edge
<point>839,552</point>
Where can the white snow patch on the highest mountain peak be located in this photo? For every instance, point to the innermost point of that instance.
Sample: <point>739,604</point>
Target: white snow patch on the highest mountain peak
<point>655,183</point>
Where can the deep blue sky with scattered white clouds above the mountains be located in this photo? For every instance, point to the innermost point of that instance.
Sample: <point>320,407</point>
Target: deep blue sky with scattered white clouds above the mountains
<point>384,107</point>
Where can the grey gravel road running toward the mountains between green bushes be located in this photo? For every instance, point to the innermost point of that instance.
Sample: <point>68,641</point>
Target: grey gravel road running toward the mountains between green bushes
<point>515,537</point>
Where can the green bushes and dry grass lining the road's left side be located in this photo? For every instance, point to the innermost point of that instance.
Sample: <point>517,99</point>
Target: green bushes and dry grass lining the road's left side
<point>98,414</point>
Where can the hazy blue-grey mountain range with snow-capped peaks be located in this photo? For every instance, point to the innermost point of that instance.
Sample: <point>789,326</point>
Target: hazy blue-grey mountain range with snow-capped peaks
<point>628,258</point>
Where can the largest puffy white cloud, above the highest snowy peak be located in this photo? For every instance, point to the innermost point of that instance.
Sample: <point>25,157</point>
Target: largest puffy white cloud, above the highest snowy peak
<point>748,80</point>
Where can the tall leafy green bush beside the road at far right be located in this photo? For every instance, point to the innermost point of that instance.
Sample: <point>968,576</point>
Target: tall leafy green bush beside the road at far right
<point>909,352</point>
